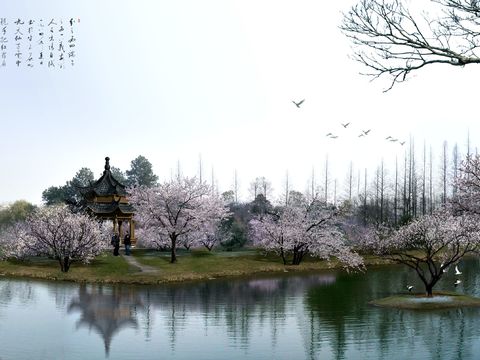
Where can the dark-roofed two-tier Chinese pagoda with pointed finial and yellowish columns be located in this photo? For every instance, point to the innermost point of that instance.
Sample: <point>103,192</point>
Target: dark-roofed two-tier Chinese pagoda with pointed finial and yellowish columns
<point>106,199</point>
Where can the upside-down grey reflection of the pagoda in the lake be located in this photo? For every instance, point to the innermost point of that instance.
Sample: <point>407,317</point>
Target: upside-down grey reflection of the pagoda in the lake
<point>106,310</point>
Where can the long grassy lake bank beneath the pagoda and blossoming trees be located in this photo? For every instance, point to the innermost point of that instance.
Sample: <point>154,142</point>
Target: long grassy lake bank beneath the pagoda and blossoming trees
<point>195,265</point>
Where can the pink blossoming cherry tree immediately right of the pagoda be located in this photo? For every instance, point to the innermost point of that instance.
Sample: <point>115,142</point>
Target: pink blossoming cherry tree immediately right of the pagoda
<point>176,208</point>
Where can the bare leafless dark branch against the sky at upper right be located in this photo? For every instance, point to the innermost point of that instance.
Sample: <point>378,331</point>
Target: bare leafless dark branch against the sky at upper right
<point>389,40</point>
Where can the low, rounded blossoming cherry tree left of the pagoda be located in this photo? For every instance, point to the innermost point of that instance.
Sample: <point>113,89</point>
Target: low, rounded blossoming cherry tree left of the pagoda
<point>57,232</point>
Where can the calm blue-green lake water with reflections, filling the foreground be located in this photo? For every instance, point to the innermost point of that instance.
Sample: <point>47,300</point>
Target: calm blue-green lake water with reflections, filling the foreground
<point>315,316</point>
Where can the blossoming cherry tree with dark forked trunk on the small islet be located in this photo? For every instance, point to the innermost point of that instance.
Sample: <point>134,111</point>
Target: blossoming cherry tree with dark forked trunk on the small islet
<point>430,244</point>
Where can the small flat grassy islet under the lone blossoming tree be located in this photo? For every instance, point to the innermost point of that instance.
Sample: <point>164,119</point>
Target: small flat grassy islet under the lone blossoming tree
<point>439,300</point>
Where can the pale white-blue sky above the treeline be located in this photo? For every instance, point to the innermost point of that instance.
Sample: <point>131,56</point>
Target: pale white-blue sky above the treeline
<point>176,80</point>
